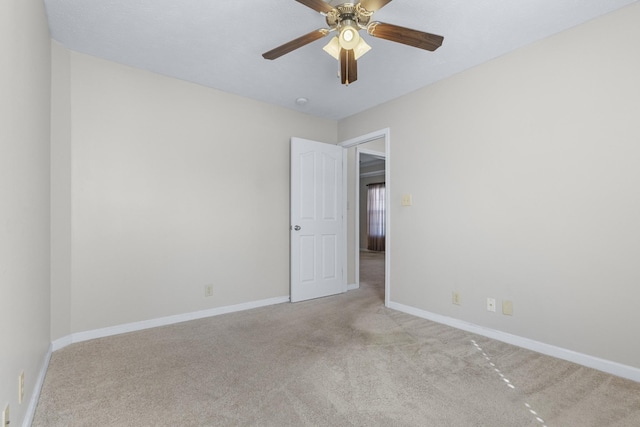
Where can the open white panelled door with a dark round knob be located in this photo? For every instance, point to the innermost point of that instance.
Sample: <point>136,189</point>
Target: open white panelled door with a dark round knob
<point>317,230</point>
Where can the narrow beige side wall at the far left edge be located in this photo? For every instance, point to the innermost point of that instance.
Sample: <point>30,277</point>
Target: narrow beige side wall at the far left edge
<point>24,198</point>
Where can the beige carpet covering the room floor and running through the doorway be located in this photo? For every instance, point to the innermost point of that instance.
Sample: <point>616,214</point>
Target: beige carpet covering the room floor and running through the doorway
<point>338,361</point>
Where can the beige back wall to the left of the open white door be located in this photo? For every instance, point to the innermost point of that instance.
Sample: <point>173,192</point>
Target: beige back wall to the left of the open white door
<point>174,186</point>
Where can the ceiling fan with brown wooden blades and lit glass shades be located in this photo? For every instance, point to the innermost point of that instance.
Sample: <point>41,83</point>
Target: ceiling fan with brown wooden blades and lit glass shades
<point>347,19</point>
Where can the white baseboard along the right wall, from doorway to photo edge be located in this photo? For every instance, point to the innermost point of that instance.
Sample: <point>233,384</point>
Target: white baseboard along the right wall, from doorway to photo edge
<point>603,365</point>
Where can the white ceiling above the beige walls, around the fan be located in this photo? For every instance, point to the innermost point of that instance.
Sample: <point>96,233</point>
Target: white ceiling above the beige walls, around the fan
<point>219,43</point>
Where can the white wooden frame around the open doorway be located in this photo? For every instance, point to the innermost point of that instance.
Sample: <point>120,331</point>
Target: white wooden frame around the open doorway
<point>353,142</point>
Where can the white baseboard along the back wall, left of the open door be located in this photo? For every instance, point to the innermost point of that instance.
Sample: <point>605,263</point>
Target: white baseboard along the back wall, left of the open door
<point>161,321</point>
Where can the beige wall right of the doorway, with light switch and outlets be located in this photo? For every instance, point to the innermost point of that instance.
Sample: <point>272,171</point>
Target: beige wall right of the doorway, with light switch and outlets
<point>524,174</point>
